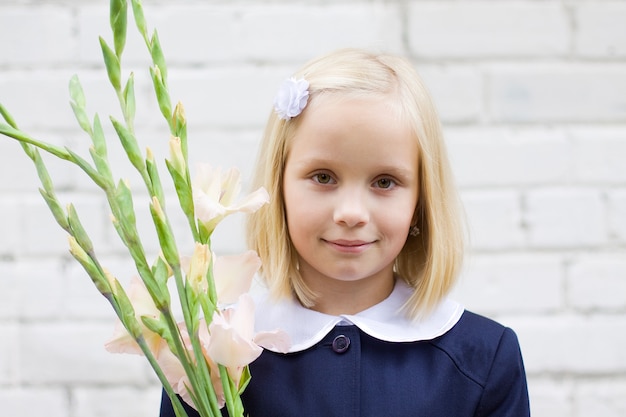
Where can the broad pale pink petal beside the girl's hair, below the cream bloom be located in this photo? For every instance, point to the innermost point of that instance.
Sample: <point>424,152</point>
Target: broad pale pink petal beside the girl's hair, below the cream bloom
<point>233,275</point>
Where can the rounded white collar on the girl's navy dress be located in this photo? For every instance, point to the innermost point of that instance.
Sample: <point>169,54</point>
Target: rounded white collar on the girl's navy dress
<point>384,321</point>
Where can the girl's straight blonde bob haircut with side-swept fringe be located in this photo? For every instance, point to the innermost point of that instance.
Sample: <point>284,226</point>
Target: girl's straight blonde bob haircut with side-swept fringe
<point>429,262</point>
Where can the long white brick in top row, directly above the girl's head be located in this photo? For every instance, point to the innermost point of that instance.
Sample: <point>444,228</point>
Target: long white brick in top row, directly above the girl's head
<point>264,32</point>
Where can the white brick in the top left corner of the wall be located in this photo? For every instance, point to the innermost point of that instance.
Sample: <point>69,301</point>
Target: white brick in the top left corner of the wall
<point>35,36</point>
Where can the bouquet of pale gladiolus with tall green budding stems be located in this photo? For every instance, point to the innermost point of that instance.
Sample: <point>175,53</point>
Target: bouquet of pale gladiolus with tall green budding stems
<point>203,358</point>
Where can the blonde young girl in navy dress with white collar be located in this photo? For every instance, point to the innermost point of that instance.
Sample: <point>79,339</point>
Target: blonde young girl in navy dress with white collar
<point>361,243</point>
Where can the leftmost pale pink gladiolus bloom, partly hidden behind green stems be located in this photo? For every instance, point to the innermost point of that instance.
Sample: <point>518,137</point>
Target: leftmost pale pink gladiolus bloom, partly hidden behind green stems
<point>122,341</point>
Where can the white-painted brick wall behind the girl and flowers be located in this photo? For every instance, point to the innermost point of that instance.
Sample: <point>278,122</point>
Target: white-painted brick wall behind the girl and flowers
<point>533,99</point>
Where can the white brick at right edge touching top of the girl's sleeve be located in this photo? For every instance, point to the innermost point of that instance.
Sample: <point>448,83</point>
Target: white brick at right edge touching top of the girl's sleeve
<point>576,345</point>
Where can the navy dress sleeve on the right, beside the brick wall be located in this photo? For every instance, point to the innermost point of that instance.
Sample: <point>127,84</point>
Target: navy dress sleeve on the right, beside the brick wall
<point>506,391</point>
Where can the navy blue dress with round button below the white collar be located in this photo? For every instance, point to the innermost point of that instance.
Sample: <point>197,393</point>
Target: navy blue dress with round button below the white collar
<point>473,370</point>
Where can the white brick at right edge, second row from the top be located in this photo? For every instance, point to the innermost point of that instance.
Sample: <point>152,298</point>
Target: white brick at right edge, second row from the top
<point>557,93</point>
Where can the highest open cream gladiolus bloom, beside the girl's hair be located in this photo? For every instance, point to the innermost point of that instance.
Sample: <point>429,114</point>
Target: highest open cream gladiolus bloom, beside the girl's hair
<point>214,195</point>
